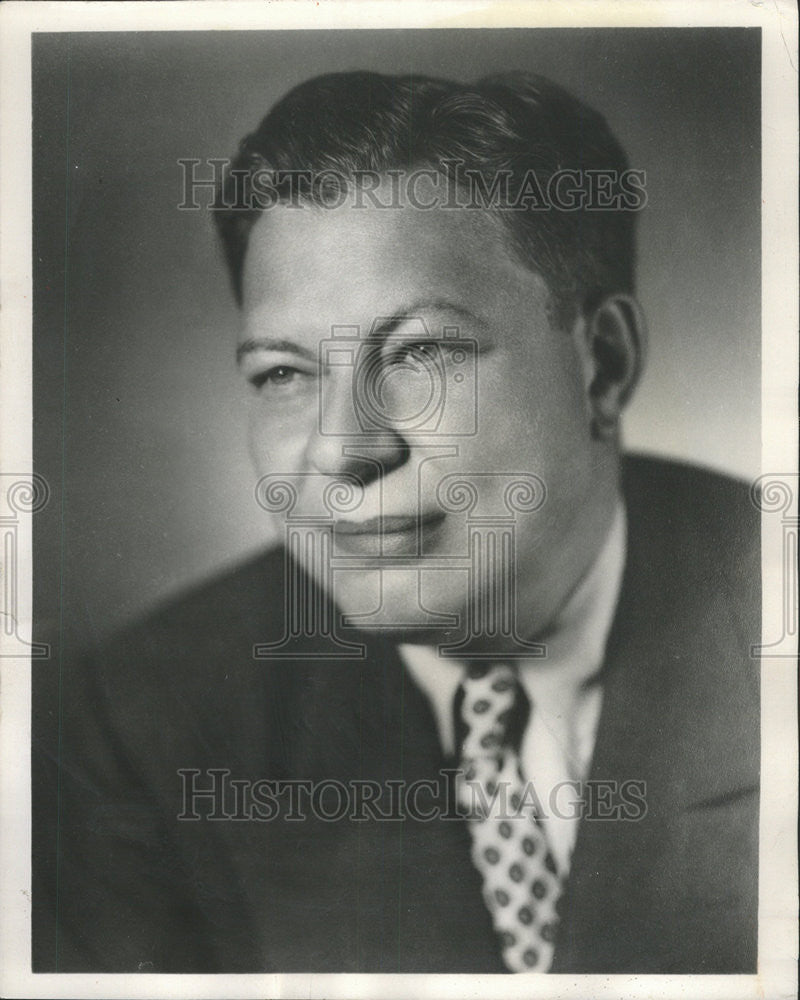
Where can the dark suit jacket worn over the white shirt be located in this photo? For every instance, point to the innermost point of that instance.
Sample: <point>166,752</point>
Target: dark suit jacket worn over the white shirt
<point>122,884</point>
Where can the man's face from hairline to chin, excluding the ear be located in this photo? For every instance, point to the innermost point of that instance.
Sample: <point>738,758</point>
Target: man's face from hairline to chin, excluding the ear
<point>401,352</point>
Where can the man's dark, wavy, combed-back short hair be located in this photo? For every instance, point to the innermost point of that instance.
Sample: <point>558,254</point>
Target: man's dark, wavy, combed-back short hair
<point>520,124</point>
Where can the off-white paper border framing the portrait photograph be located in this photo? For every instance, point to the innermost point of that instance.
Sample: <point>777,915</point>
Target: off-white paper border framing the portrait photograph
<point>777,970</point>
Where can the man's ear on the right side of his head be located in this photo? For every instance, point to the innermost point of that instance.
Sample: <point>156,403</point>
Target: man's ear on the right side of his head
<point>616,339</point>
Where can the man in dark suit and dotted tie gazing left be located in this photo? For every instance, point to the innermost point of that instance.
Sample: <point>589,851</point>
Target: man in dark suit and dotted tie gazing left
<point>491,707</point>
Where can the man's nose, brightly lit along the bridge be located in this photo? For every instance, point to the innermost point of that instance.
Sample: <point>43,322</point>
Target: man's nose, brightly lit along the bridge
<point>340,445</point>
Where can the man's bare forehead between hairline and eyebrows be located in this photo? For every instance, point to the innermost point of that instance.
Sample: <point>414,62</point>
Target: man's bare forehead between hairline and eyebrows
<point>312,265</point>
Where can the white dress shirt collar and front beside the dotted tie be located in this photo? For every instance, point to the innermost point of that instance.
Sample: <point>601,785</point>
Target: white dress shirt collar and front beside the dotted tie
<point>558,743</point>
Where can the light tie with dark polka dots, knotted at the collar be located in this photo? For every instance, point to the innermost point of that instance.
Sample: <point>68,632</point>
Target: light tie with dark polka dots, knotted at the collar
<point>521,885</point>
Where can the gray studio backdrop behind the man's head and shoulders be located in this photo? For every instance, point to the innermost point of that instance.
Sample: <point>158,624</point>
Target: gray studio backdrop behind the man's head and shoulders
<point>138,408</point>
